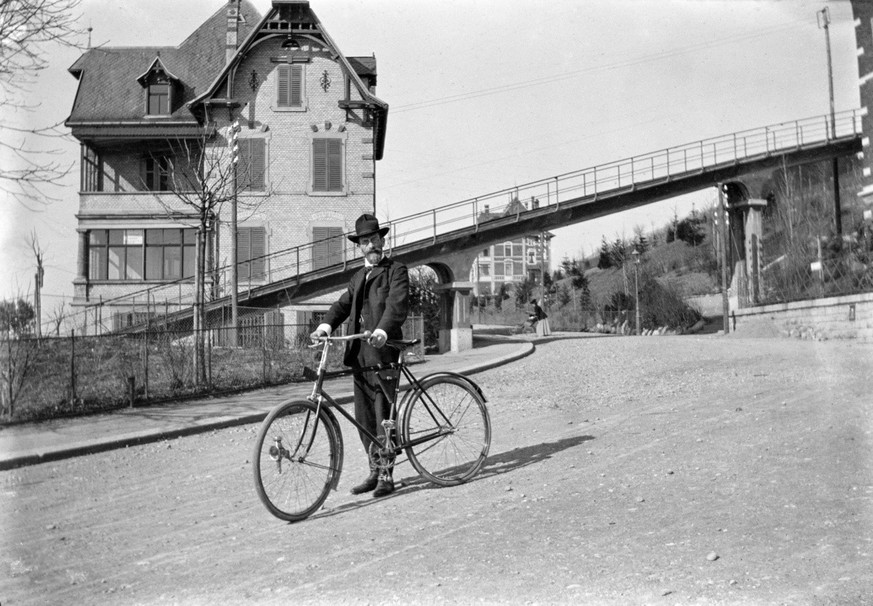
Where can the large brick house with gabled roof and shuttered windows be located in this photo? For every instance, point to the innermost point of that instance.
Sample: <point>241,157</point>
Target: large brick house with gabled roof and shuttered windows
<point>311,131</point>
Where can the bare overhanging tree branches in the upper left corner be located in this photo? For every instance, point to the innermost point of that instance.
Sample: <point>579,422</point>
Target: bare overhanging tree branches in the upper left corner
<point>27,28</point>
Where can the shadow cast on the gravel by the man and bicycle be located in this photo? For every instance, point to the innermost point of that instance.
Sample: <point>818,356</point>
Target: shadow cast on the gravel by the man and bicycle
<point>495,465</point>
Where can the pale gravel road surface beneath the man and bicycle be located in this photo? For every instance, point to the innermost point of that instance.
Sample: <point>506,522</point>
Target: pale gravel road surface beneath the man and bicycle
<point>627,470</point>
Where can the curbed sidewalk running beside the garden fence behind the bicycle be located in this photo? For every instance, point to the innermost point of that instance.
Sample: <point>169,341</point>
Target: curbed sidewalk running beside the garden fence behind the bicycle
<point>33,443</point>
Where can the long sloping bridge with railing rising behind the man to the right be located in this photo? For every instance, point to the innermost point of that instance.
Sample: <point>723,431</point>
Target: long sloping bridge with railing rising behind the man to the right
<point>449,237</point>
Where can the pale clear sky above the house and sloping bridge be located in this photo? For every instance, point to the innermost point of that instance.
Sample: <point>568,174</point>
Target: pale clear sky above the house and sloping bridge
<point>485,95</point>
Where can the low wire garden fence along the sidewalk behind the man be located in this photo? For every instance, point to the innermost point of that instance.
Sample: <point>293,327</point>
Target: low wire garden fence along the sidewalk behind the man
<point>60,376</point>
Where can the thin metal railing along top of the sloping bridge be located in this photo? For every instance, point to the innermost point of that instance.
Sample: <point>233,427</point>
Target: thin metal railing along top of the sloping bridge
<point>594,182</point>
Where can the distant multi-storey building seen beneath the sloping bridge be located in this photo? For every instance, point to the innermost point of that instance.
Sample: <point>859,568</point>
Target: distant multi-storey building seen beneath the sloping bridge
<point>512,261</point>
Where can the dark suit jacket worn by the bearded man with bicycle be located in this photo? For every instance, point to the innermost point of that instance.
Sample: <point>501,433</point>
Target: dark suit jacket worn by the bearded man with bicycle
<point>381,302</point>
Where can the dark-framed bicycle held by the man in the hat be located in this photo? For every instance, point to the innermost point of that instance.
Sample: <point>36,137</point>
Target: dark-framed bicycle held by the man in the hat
<point>441,423</point>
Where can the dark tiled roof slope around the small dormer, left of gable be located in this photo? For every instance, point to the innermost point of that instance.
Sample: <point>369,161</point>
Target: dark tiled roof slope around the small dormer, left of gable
<point>108,88</point>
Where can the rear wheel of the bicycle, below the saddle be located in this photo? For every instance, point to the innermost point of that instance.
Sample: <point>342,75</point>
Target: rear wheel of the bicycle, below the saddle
<point>446,430</point>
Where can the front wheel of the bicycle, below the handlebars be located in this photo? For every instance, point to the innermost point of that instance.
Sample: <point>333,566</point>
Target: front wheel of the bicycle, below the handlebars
<point>296,460</point>
